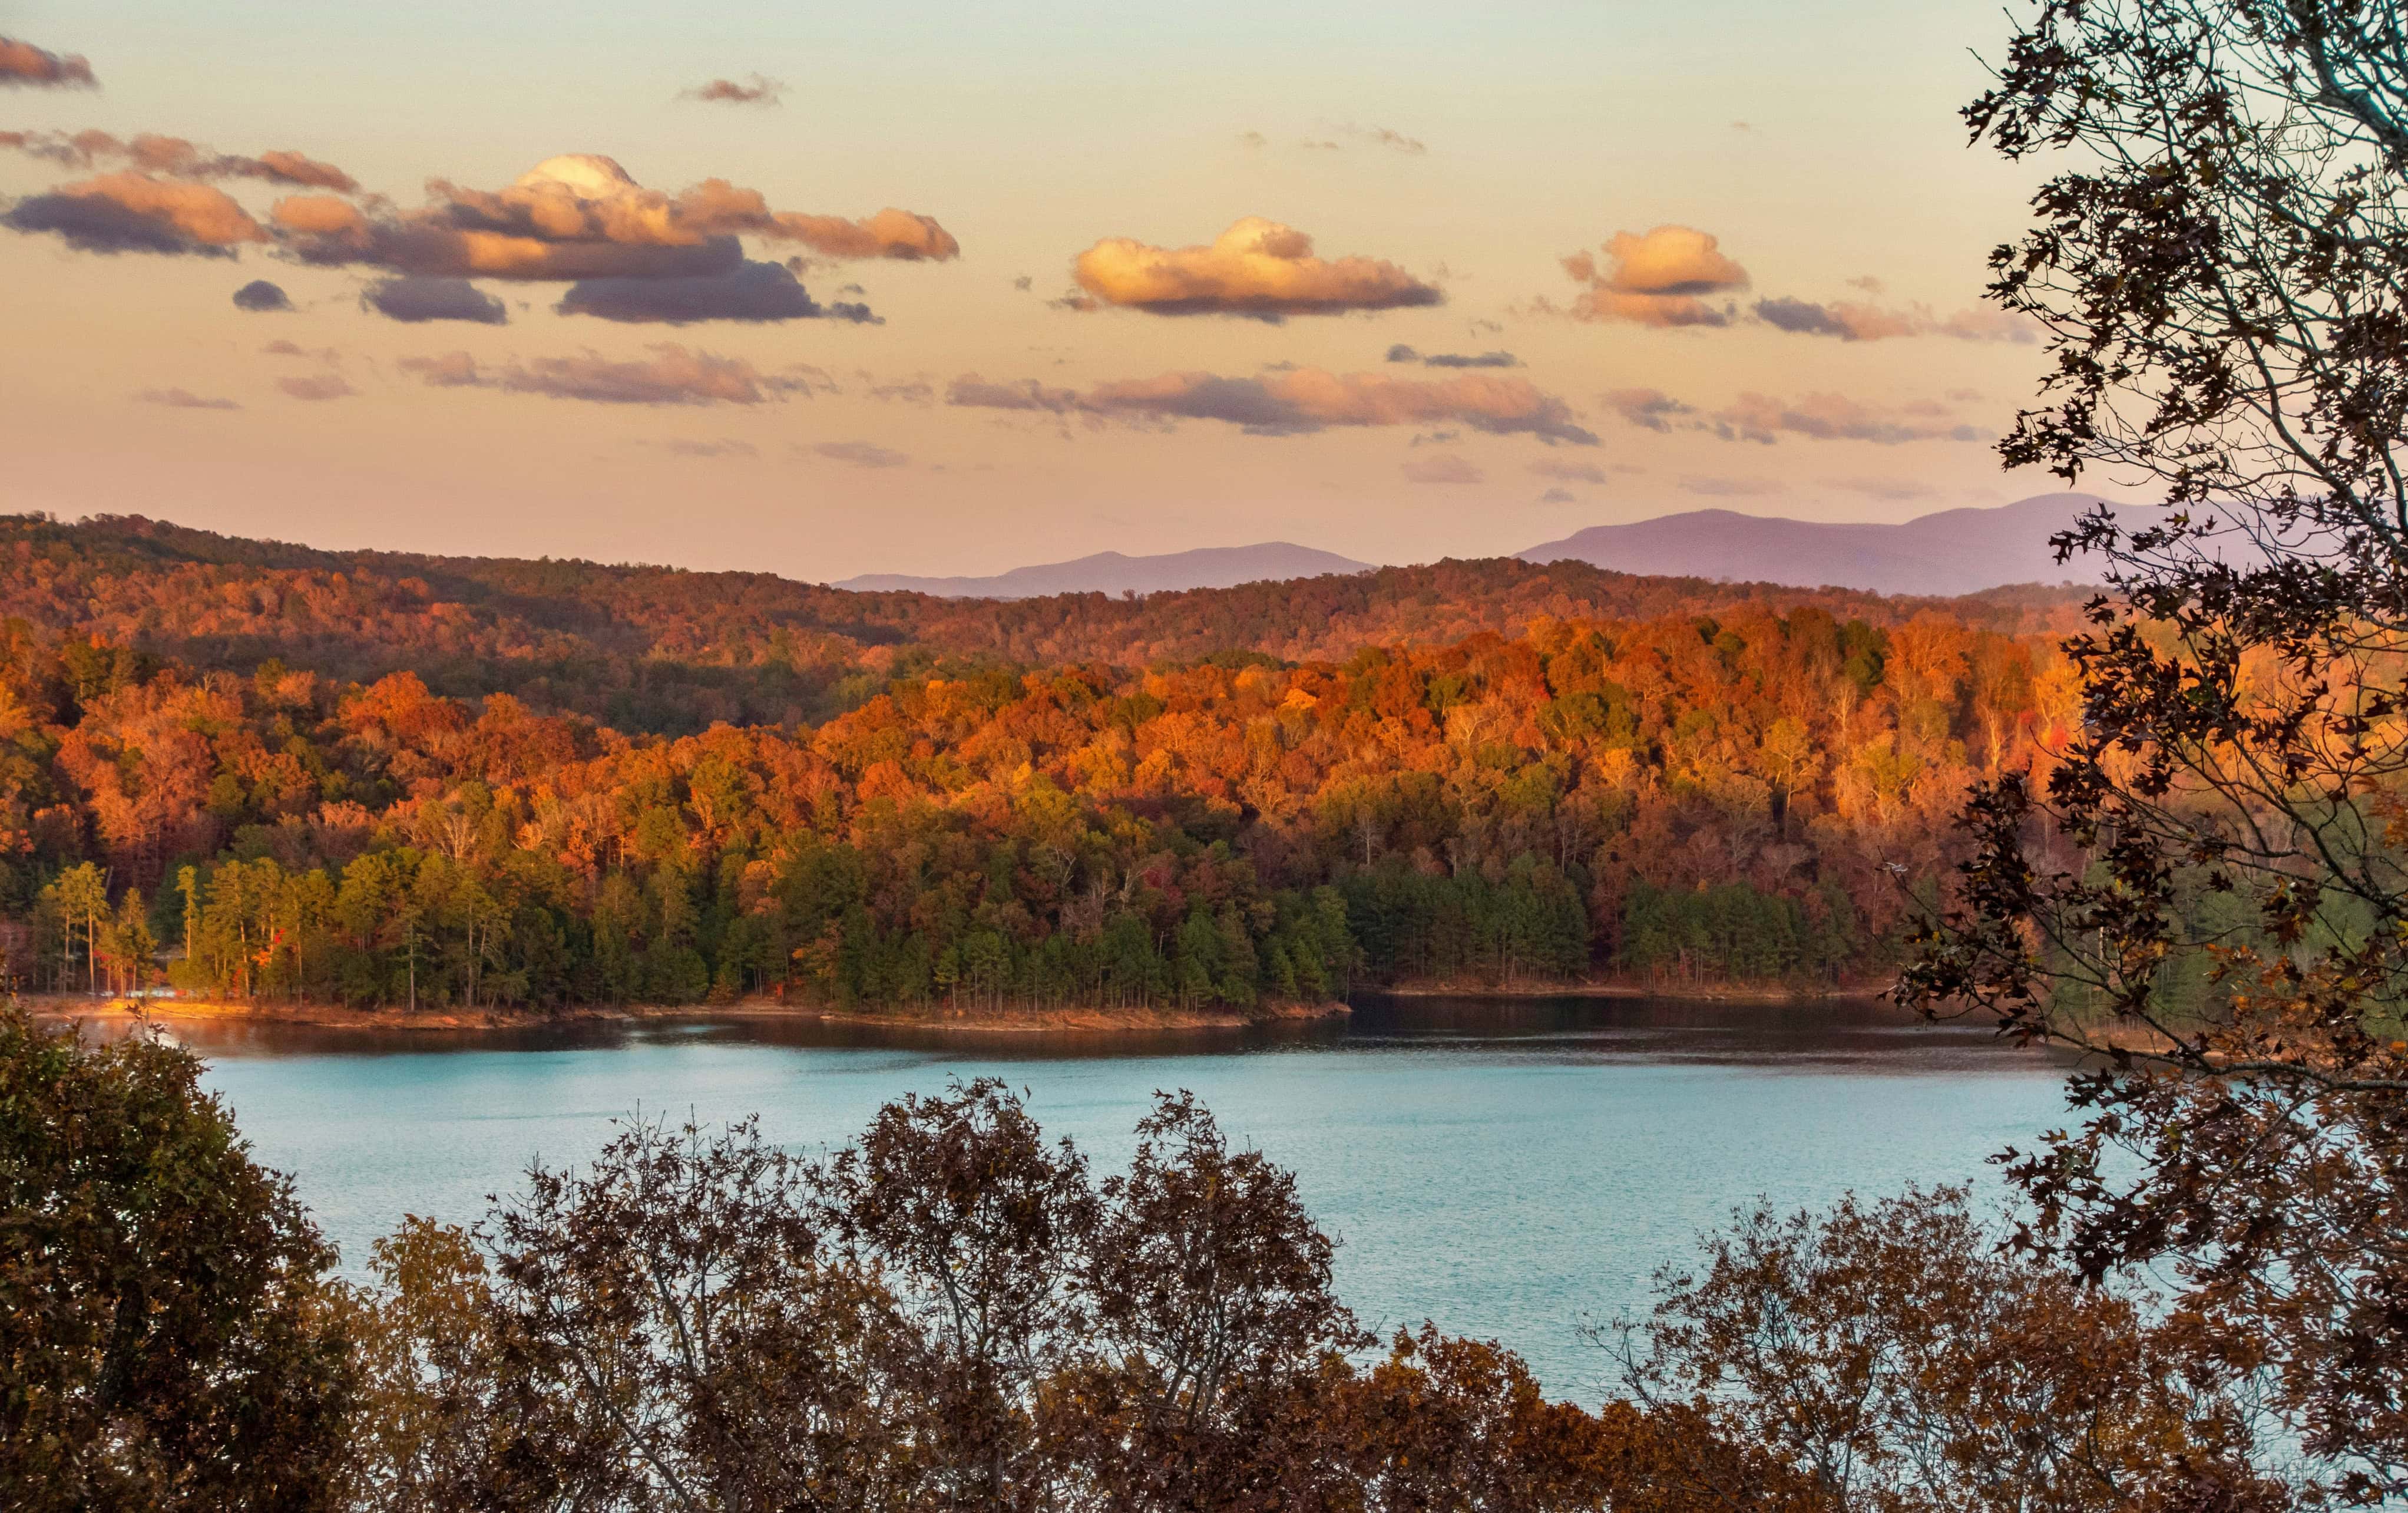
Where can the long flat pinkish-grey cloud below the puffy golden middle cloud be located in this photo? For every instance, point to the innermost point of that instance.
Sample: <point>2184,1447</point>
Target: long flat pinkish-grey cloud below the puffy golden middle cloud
<point>1299,401</point>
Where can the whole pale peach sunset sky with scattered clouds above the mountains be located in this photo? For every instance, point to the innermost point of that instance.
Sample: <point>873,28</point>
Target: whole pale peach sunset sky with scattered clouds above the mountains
<point>952,288</point>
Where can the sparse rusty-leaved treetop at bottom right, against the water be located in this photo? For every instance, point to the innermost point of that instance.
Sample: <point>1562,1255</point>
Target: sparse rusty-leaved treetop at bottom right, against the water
<point>1899,1358</point>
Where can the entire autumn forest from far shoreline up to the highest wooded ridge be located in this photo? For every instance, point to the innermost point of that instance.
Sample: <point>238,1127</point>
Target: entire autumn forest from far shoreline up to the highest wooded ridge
<point>1721,784</point>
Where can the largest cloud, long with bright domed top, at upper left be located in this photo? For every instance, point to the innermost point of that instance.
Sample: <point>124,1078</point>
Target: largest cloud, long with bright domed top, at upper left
<point>582,218</point>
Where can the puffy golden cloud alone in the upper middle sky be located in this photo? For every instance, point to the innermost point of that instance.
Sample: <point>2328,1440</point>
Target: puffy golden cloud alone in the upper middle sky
<point>1256,269</point>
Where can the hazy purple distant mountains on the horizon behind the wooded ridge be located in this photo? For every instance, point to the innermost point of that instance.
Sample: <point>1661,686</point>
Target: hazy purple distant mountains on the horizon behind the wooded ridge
<point>1932,555</point>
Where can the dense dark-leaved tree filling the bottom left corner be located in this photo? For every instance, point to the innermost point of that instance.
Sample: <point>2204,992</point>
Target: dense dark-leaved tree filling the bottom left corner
<point>167,1338</point>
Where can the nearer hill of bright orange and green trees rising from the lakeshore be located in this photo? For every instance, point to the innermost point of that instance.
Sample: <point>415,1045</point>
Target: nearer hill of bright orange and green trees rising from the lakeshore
<point>1713,799</point>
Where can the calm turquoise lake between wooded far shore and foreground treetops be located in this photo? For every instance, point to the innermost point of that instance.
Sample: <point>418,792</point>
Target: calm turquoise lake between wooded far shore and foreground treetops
<point>1499,1170</point>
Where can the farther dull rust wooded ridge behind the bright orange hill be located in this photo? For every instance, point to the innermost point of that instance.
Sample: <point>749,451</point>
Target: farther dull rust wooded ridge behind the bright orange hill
<point>656,649</point>
